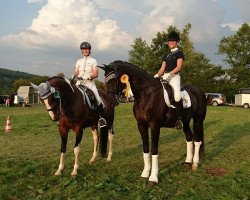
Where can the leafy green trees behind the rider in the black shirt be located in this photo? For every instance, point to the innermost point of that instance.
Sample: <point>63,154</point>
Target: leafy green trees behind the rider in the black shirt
<point>197,69</point>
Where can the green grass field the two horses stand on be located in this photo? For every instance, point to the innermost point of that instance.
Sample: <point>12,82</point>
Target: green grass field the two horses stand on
<point>29,157</point>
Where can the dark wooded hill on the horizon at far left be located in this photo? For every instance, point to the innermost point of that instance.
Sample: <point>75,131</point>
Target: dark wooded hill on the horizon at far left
<point>7,78</point>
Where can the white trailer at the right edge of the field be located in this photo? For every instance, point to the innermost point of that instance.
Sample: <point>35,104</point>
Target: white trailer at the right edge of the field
<point>243,98</point>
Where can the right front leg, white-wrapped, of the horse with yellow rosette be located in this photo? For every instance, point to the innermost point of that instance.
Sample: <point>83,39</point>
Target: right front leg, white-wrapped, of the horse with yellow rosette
<point>155,133</point>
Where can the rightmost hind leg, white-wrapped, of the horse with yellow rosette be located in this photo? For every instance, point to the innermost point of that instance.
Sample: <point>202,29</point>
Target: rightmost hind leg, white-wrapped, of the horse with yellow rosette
<point>198,140</point>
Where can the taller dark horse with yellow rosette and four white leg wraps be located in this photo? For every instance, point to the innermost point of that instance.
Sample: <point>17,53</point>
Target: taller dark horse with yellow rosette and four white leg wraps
<point>151,111</point>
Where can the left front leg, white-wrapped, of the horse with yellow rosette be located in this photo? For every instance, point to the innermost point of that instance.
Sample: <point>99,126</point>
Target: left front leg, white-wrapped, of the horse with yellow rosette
<point>143,128</point>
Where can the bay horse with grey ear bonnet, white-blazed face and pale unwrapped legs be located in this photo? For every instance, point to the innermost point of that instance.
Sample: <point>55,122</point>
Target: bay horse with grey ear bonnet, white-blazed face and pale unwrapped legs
<point>65,103</point>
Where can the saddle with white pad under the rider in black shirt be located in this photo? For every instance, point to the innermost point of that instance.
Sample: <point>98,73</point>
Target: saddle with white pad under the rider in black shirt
<point>168,92</point>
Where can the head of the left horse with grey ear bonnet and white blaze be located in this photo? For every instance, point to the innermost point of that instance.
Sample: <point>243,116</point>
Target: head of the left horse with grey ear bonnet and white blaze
<point>51,96</point>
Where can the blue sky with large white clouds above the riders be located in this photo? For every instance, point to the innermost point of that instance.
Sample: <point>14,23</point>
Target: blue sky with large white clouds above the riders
<point>42,37</point>
